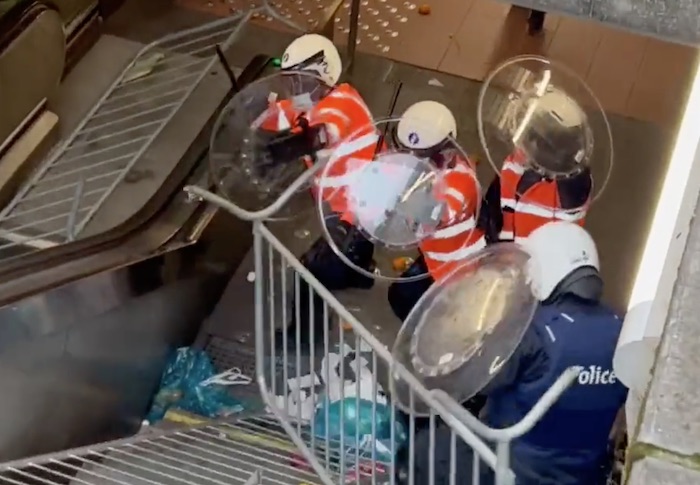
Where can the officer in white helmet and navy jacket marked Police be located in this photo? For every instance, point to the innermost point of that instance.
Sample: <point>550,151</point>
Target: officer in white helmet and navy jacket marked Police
<point>571,327</point>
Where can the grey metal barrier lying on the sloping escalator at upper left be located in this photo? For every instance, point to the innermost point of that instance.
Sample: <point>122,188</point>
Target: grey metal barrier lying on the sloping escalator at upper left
<point>71,186</point>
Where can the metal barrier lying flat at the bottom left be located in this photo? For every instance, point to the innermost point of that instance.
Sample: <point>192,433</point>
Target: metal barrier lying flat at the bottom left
<point>220,454</point>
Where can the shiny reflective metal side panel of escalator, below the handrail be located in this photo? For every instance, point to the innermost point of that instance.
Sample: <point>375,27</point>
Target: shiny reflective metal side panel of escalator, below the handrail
<point>80,363</point>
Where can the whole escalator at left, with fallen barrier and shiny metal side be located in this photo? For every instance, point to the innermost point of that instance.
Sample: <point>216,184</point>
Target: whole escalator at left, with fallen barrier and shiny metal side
<point>94,293</point>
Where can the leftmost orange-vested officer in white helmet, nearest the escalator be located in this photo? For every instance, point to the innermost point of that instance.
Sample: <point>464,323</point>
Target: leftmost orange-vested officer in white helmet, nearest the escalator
<point>342,112</point>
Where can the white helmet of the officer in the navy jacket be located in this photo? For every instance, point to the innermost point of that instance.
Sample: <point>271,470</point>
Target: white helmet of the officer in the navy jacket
<point>563,259</point>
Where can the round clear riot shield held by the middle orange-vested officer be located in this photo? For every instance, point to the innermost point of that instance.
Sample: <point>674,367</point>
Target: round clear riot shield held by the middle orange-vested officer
<point>375,190</point>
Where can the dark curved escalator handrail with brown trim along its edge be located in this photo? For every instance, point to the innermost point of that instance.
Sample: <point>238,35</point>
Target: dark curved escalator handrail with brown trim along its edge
<point>162,217</point>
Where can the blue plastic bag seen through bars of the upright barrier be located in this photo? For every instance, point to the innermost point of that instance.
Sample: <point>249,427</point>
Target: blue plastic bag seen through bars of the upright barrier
<point>358,415</point>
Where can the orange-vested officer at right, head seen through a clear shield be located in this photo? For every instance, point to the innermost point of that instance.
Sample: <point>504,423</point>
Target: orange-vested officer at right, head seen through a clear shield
<point>547,178</point>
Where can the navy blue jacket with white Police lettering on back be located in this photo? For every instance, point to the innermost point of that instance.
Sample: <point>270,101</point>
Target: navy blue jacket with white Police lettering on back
<point>569,445</point>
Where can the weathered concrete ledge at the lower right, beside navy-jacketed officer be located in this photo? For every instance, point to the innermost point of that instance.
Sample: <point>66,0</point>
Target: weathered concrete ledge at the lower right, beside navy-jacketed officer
<point>666,449</point>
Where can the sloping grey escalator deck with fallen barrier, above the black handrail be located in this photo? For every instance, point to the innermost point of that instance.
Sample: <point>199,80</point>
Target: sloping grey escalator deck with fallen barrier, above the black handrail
<point>119,167</point>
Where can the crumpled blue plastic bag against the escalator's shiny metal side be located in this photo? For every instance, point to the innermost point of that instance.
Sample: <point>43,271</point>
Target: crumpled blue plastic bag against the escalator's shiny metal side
<point>184,386</point>
